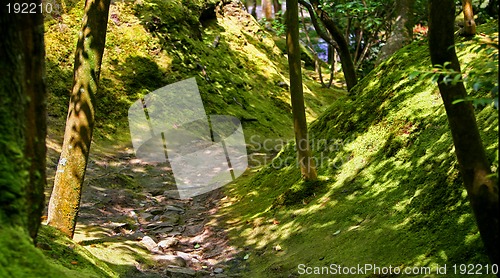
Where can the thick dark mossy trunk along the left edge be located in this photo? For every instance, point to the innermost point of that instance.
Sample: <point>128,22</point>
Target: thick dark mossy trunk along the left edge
<point>22,118</point>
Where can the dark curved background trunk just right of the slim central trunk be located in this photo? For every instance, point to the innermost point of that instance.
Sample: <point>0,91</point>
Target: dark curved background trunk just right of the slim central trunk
<point>343,47</point>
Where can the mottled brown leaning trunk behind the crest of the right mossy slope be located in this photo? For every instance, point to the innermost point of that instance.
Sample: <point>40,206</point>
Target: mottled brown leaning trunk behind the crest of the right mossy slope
<point>402,30</point>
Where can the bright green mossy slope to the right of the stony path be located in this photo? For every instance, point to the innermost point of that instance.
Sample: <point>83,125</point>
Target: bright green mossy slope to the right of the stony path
<point>389,191</point>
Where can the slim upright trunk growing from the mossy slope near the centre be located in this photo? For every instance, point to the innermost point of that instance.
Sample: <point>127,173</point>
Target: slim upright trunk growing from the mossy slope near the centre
<point>305,159</point>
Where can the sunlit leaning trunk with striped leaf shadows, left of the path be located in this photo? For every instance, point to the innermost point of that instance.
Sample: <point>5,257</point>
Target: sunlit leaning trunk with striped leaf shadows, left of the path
<point>65,199</point>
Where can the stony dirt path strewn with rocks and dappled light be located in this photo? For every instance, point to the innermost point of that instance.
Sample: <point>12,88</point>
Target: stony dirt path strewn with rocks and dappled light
<point>131,217</point>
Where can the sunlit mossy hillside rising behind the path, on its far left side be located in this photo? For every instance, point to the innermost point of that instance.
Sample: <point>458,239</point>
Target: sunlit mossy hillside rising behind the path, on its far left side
<point>154,43</point>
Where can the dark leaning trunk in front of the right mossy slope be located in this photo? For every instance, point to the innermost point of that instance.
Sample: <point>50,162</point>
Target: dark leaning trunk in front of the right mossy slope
<point>481,186</point>
